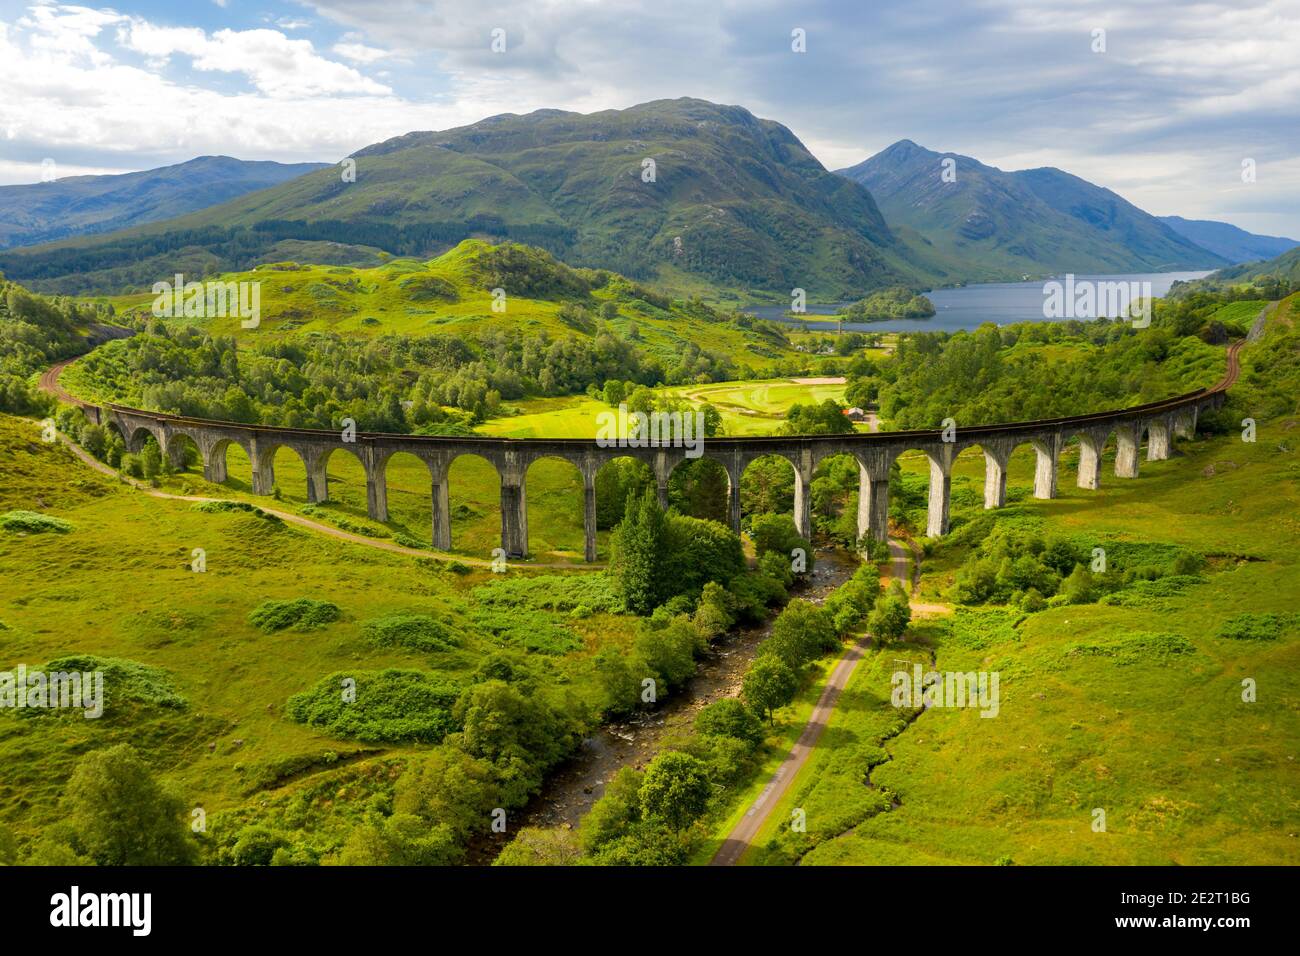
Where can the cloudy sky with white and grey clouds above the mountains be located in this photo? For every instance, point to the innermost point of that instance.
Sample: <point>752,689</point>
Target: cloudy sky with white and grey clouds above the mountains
<point>1164,107</point>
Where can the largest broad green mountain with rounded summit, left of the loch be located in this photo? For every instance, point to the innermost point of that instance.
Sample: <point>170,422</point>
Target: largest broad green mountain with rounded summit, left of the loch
<point>731,202</point>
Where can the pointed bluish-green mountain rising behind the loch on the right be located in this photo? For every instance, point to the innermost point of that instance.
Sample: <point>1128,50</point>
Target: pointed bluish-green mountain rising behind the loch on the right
<point>1032,222</point>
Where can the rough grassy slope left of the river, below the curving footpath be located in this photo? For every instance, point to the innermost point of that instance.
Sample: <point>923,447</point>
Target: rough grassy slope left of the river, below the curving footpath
<point>120,585</point>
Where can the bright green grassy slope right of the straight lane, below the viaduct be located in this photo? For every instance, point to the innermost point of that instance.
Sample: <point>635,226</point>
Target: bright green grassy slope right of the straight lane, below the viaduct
<point>1136,711</point>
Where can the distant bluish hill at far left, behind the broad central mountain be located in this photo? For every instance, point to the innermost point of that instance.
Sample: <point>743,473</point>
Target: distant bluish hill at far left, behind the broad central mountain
<point>88,205</point>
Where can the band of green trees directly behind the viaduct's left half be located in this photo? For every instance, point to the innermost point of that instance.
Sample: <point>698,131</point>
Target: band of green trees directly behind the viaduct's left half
<point>387,384</point>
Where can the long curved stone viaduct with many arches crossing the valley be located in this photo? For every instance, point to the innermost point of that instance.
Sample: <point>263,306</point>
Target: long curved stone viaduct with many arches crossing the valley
<point>876,453</point>
